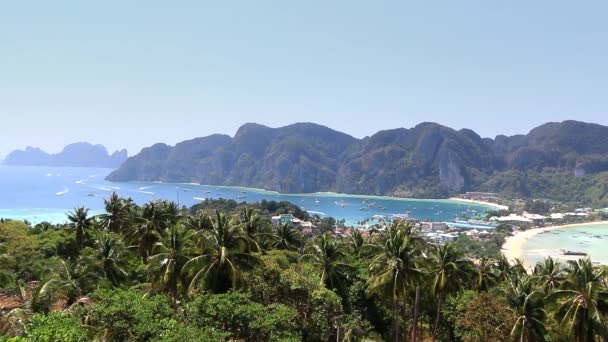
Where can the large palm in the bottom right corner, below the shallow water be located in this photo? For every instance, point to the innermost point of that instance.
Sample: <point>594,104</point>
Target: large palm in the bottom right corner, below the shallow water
<point>583,301</point>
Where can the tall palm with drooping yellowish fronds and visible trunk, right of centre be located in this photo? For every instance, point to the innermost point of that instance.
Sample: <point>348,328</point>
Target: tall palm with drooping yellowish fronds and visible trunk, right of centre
<point>395,270</point>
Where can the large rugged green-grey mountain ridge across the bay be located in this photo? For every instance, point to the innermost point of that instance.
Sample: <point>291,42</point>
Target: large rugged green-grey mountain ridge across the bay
<point>566,161</point>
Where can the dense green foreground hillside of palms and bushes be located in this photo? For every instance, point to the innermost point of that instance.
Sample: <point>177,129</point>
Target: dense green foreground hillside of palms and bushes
<point>158,273</point>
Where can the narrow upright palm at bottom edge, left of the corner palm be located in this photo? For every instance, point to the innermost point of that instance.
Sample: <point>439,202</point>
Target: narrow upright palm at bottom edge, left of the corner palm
<point>527,305</point>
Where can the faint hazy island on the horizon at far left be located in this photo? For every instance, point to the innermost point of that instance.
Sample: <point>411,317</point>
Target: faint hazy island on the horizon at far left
<point>80,154</point>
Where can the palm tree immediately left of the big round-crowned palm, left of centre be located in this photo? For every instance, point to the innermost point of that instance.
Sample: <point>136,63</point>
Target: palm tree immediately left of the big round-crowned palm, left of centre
<point>170,254</point>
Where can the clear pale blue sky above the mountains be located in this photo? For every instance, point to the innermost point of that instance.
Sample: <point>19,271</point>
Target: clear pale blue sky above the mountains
<point>132,73</point>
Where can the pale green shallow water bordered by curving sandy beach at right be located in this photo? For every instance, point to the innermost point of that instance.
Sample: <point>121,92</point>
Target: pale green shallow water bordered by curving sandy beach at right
<point>591,239</point>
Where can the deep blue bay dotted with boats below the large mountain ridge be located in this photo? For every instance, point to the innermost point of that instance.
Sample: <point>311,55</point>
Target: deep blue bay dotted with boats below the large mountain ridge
<point>47,193</point>
